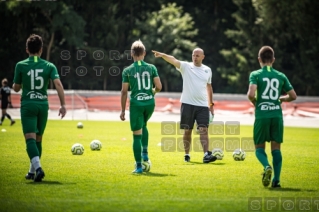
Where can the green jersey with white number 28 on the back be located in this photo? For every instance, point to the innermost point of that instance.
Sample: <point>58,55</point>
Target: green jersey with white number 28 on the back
<point>270,84</point>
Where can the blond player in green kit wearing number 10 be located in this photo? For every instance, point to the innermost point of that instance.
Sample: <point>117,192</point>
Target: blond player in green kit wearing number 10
<point>140,77</point>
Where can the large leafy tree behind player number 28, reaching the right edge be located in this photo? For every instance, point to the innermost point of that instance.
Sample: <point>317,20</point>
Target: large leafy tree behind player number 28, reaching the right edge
<point>289,27</point>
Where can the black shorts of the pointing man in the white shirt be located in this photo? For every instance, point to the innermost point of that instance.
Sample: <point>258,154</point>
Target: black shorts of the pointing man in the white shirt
<point>190,113</point>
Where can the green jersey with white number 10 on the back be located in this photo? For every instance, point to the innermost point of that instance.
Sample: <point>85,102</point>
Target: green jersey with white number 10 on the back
<point>140,77</point>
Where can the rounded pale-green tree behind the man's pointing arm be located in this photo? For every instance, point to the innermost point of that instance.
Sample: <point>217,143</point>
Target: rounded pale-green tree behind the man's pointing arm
<point>168,30</point>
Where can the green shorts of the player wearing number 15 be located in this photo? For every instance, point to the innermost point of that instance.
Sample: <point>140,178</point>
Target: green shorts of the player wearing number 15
<point>34,117</point>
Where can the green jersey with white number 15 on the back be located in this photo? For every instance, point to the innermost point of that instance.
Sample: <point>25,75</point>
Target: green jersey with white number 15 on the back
<point>34,74</point>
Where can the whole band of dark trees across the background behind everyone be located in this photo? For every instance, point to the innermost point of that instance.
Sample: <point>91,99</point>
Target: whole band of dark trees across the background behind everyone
<point>230,32</point>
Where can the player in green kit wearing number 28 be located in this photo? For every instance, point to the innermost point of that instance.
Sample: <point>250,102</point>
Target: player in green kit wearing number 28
<point>265,88</point>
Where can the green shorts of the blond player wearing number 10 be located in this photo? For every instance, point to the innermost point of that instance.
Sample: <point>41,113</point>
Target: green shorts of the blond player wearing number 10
<point>139,115</point>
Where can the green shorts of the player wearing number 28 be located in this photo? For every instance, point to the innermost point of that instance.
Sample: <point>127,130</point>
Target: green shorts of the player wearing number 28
<point>268,129</point>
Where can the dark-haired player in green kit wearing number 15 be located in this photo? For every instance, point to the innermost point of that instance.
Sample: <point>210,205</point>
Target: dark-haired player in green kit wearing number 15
<point>33,75</point>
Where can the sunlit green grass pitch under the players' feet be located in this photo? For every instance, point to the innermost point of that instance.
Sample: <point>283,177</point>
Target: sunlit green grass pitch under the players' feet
<point>102,180</point>
